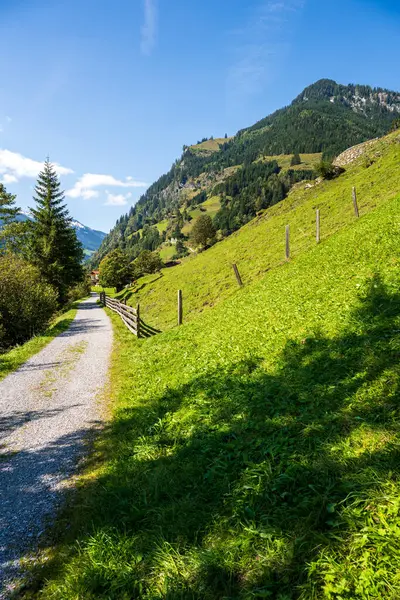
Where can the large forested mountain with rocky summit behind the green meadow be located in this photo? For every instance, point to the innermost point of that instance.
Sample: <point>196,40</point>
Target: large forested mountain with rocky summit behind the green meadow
<point>325,118</point>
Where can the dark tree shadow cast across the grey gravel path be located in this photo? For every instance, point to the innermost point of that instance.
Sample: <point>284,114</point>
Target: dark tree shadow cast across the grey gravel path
<point>31,488</point>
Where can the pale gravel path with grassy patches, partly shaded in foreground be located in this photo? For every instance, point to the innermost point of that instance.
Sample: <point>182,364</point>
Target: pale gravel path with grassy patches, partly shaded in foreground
<point>47,407</point>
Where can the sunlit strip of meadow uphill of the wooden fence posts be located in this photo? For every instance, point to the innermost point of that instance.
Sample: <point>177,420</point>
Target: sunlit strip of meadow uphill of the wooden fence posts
<point>208,278</point>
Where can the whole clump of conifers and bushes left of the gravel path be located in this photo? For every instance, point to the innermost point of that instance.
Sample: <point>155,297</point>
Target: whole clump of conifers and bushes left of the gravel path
<point>40,259</point>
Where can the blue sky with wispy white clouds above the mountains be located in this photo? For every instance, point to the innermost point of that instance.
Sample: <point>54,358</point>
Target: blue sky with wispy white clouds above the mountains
<point>112,89</point>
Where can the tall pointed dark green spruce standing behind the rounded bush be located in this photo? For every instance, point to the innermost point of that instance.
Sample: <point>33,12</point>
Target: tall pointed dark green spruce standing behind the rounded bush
<point>54,247</point>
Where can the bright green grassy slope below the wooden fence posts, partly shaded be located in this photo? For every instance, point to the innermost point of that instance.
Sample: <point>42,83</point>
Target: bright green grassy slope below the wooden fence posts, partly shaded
<point>254,453</point>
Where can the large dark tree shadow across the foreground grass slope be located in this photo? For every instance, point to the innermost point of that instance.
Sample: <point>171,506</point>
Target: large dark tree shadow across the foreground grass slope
<point>237,496</point>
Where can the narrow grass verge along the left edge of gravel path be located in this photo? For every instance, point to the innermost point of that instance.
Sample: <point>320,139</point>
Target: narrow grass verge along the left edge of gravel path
<point>11,360</point>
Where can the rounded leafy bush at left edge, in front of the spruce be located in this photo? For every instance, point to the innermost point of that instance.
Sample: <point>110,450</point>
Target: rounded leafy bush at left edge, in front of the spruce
<point>27,302</point>
